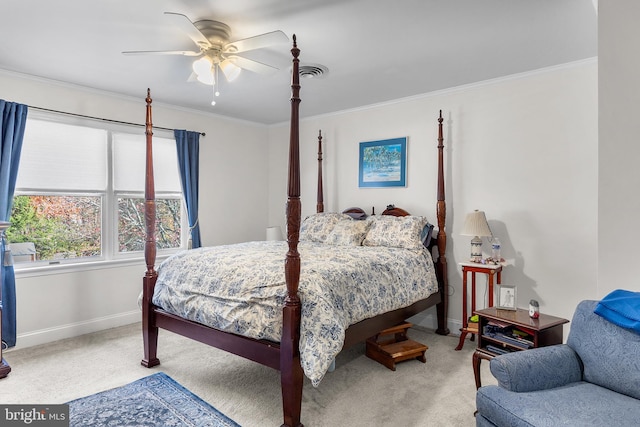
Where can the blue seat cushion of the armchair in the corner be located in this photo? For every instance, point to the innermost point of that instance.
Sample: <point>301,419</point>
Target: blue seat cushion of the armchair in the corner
<point>576,404</point>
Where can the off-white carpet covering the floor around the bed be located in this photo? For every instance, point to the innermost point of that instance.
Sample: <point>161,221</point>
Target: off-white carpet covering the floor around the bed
<point>360,392</point>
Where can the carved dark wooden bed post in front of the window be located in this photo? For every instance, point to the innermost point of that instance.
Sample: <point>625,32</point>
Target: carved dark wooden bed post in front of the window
<point>149,330</point>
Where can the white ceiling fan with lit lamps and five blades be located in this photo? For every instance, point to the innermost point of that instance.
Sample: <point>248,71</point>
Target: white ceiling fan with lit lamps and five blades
<point>216,50</point>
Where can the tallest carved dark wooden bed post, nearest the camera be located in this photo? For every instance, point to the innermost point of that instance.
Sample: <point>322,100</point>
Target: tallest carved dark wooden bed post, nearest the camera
<point>291,375</point>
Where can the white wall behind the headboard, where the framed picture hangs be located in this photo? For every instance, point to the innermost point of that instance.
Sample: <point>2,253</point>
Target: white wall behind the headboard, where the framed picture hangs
<point>523,149</point>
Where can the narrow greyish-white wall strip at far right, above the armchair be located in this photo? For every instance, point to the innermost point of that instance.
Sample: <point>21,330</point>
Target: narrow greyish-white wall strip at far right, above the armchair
<point>619,150</point>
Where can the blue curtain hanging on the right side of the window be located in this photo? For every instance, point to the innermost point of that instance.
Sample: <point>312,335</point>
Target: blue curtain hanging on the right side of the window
<point>188,145</point>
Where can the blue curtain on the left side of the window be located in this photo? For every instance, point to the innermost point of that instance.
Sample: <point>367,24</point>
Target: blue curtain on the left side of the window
<point>12,122</point>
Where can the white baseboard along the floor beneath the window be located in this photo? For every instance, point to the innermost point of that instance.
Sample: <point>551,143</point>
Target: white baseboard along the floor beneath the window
<point>44,336</point>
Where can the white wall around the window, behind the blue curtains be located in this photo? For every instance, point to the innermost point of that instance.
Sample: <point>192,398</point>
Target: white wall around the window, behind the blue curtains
<point>233,200</point>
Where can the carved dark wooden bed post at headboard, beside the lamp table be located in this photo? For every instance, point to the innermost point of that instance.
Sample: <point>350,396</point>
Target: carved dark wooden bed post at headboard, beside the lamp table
<point>441,265</point>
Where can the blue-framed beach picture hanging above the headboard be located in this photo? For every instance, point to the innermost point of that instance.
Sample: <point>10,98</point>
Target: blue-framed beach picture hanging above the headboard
<point>383,163</point>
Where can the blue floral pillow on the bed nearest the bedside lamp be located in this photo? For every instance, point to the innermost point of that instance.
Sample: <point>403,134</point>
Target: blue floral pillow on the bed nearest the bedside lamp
<point>396,232</point>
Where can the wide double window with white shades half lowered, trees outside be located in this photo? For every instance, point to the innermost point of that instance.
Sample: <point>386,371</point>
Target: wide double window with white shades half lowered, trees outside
<point>80,194</point>
